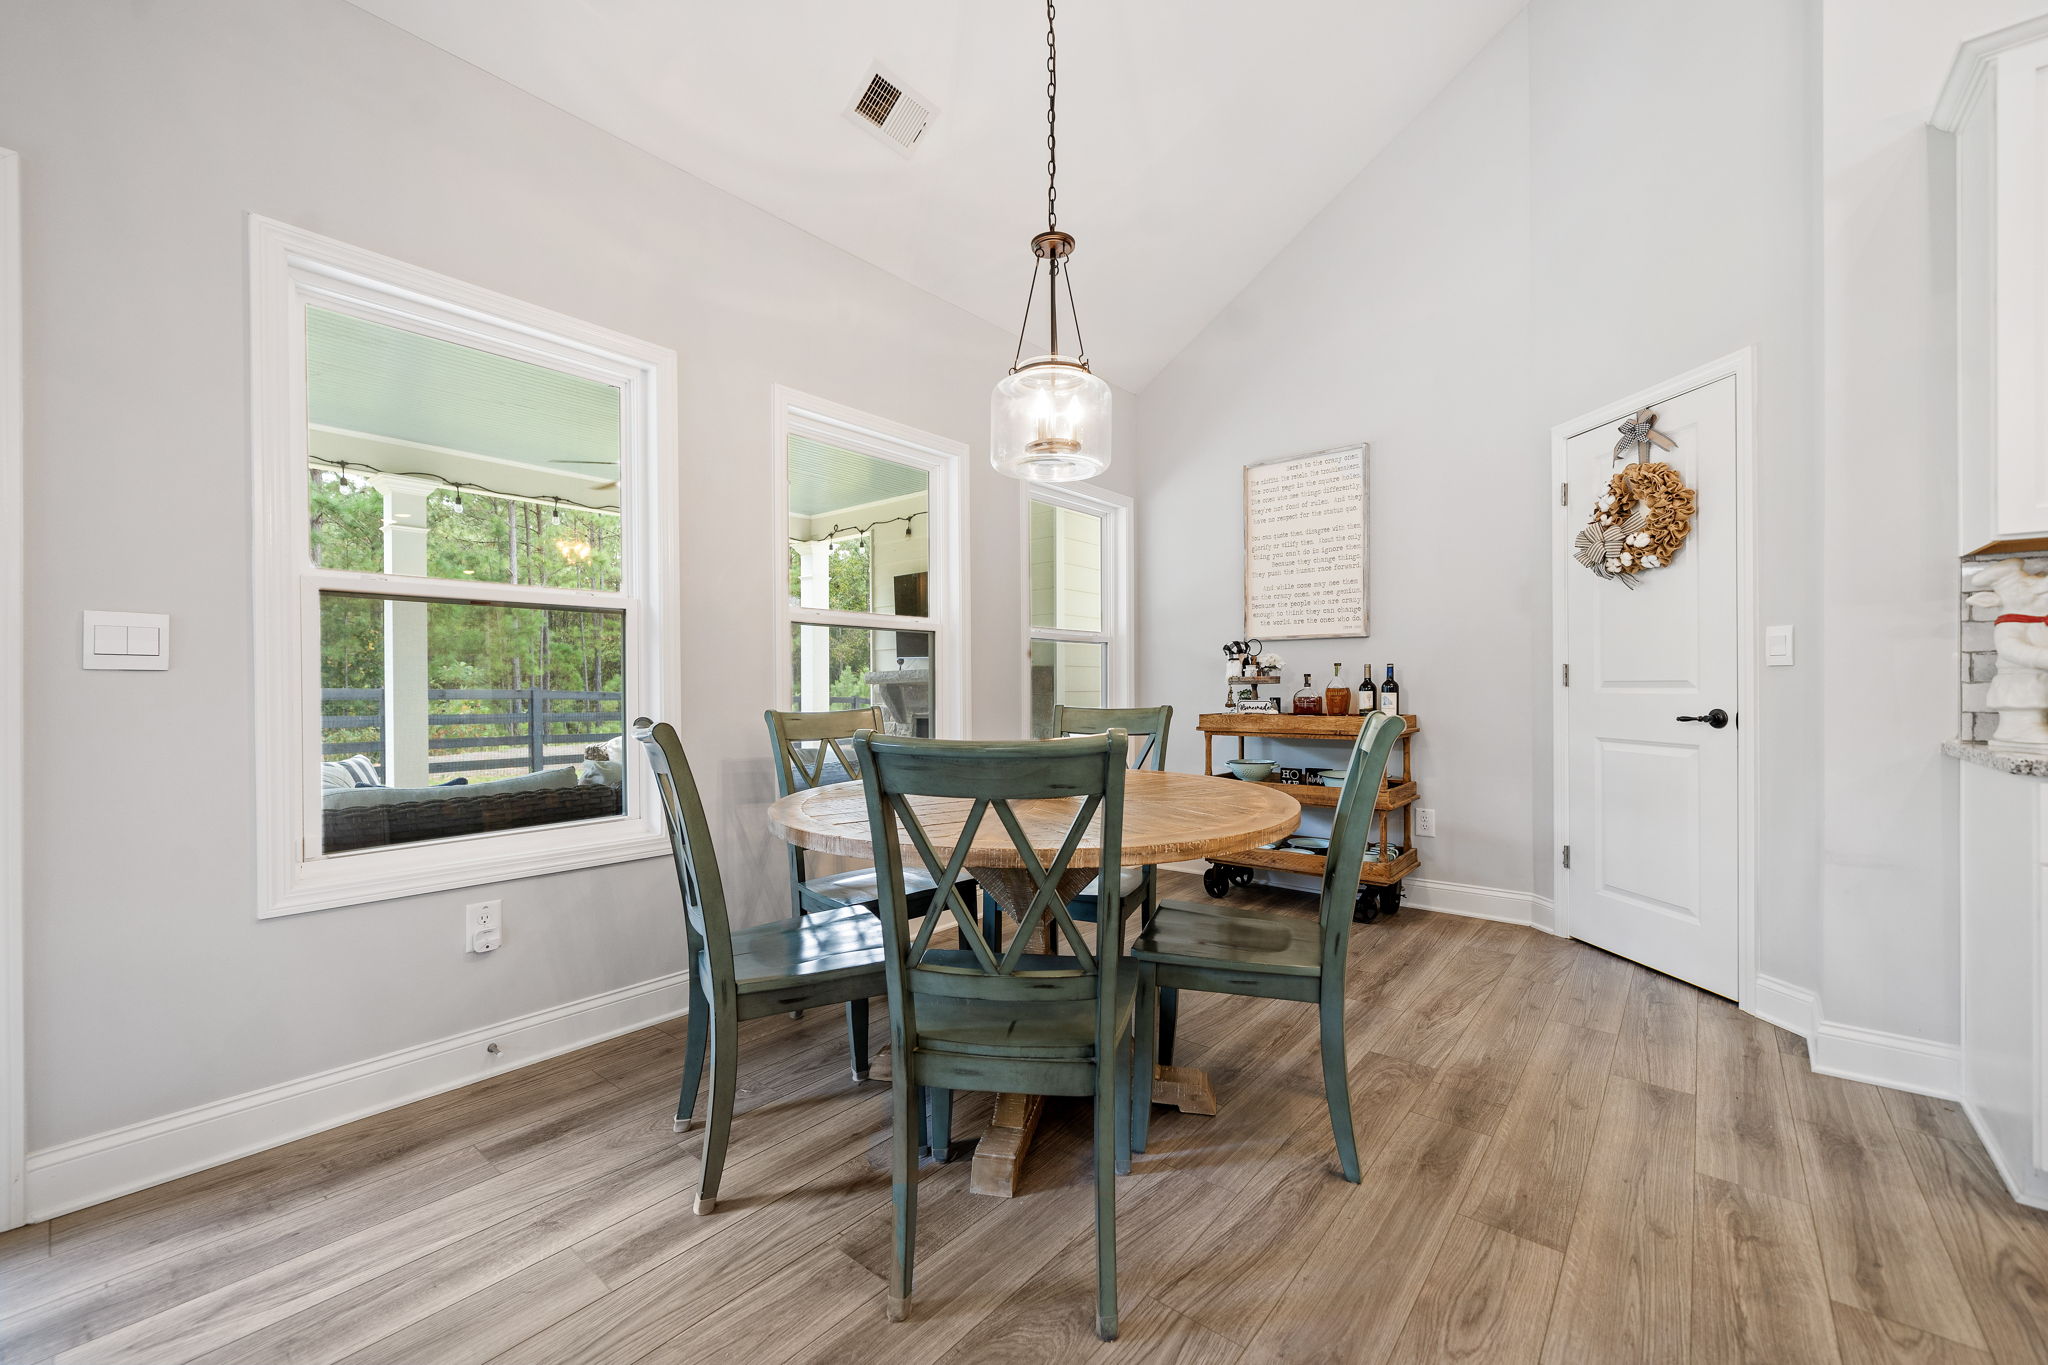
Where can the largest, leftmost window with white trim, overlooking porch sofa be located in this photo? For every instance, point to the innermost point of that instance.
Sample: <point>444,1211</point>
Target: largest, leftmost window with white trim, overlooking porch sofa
<point>462,588</point>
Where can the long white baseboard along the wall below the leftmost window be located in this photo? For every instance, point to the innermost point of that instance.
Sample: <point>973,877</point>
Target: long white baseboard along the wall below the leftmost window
<point>114,1163</point>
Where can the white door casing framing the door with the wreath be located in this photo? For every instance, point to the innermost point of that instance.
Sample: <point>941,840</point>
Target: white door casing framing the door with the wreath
<point>1748,695</point>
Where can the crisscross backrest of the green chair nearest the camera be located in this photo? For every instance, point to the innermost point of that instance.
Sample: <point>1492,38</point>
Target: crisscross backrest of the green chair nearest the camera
<point>994,777</point>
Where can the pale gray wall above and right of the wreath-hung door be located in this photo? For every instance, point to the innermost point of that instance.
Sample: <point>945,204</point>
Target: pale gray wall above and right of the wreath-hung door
<point>1676,222</point>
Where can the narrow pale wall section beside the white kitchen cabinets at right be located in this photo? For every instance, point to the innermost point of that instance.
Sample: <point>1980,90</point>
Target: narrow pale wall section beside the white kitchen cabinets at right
<point>1891,578</point>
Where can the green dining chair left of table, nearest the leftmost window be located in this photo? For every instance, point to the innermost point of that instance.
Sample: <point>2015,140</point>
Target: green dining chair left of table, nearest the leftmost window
<point>830,957</point>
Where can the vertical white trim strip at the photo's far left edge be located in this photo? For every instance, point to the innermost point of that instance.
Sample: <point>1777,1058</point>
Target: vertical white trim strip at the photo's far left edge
<point>13,660</point>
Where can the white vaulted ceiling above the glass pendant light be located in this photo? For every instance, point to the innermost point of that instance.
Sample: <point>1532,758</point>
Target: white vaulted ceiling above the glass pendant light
<point>1197,136</point>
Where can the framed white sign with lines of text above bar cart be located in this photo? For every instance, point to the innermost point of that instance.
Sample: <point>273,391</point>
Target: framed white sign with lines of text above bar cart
<point>1306,547</point>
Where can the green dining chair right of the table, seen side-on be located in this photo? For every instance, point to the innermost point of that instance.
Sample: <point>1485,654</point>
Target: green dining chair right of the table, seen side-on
<point>1228,951</point>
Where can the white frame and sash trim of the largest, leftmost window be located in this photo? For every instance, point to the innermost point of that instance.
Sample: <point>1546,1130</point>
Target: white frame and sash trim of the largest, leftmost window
<point>288,271</point>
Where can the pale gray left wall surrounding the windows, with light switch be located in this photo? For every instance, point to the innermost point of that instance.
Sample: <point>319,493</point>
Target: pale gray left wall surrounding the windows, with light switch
<point>146,134</point>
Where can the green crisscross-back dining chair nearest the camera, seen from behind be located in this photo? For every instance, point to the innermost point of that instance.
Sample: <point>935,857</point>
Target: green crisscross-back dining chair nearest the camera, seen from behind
<point>1009,1020</point>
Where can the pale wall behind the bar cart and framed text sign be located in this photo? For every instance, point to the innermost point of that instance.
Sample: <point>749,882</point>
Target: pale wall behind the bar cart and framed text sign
<point>1400,318</point>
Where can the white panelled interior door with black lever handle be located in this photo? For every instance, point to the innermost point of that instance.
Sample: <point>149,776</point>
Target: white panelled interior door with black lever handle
<point>1652,811</point>
